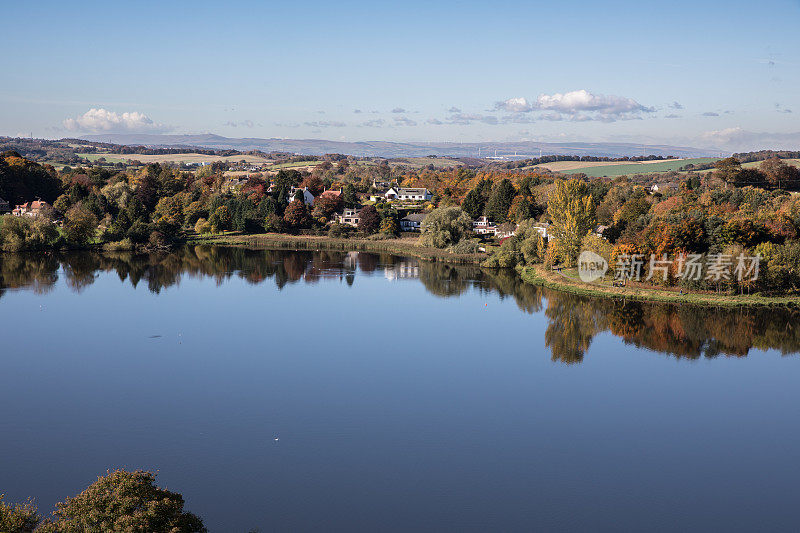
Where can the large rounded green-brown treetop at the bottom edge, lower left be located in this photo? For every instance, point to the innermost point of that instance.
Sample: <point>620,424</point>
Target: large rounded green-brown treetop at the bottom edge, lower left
<point>124,502</point>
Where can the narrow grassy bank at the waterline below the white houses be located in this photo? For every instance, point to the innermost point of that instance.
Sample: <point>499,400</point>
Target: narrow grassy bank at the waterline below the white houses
<point>408,246</point>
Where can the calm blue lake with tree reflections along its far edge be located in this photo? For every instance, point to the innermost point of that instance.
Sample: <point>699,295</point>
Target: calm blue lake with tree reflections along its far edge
<point>405,396</point>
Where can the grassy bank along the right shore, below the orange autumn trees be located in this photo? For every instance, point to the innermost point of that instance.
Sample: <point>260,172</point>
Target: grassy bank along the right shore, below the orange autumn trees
<point>539,275</point>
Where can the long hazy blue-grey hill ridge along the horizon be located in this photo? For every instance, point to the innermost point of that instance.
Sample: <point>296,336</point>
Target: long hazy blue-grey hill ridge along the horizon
<point>522,149</point>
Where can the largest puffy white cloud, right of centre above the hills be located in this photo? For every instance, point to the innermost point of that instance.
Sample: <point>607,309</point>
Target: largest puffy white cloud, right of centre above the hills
<point>579,106</point>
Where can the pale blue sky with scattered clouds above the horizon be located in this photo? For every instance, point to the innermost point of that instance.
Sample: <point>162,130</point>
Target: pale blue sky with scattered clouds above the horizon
<point>704,74</point>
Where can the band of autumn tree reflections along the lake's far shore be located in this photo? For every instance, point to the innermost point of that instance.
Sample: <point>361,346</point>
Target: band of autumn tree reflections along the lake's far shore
<point>572,321</point>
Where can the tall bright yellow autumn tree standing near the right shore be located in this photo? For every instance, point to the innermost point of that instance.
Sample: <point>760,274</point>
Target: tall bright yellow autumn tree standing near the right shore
<point>571,210</point>
